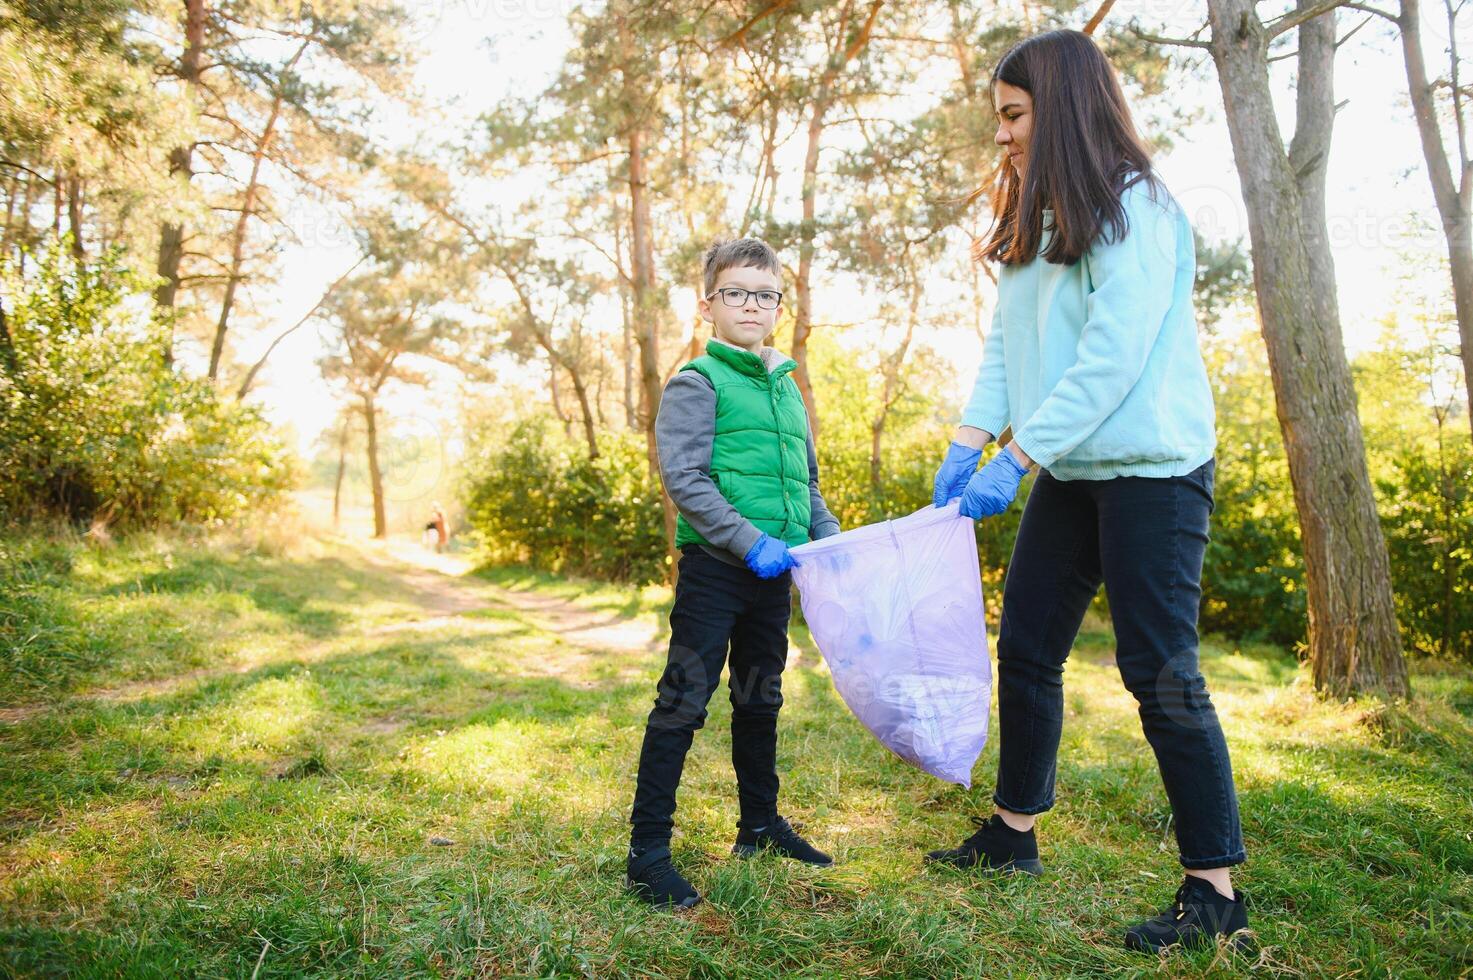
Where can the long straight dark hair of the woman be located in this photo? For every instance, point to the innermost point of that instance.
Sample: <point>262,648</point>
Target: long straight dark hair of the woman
<point>1083,153</point>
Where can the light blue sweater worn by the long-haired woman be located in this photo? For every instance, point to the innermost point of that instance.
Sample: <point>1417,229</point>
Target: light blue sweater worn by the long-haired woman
<point>1097,365</point>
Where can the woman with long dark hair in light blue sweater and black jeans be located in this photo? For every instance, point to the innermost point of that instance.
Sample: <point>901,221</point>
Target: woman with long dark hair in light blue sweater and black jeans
<point>1094,360</point>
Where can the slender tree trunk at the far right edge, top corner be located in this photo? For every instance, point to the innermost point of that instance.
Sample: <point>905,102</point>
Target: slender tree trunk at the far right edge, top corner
<point>1452,192</point>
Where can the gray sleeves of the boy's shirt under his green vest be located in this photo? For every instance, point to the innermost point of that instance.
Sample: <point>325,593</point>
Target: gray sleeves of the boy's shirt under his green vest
<point>686,435</point>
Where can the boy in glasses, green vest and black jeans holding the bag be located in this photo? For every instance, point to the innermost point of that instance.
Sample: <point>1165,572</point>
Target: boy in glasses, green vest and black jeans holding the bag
<point>737,459</point>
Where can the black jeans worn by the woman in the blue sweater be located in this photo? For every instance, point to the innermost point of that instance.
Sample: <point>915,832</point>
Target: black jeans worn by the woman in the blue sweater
<point>1145,539</point>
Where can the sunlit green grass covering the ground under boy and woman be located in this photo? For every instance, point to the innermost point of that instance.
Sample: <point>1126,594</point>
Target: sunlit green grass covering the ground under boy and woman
<point>219,752</point>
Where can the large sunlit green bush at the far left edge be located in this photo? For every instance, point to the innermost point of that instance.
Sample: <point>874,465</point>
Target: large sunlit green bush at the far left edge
<point>95,427</point>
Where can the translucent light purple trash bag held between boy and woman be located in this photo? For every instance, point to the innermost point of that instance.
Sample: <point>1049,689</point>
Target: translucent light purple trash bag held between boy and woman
<point>896,609</point>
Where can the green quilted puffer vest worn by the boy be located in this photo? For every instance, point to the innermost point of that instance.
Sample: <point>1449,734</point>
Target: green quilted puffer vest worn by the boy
<point>761,455</point>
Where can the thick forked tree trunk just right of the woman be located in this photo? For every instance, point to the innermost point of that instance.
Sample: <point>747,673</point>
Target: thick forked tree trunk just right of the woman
<point>1354,643</point>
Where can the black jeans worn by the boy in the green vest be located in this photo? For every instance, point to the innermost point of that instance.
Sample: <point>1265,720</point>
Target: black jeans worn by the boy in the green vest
<point>717,606</point>
